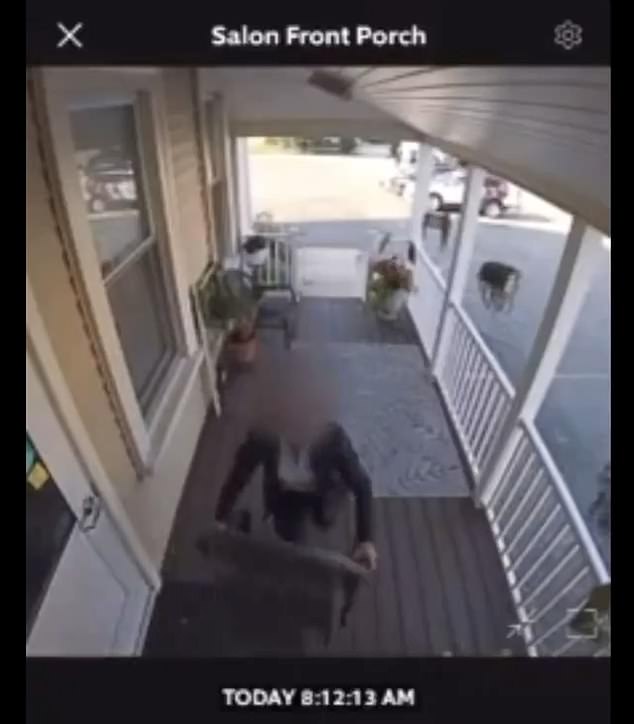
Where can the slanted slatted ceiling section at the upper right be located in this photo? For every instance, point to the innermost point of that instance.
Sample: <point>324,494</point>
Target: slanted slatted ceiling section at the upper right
<point>546,129</point>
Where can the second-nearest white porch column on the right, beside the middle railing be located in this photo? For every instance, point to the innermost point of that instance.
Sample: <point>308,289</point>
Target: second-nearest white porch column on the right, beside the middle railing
<point>463,251</point>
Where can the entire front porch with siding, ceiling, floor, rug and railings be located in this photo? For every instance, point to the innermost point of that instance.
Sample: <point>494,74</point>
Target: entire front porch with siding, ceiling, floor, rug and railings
<point>116,348</point>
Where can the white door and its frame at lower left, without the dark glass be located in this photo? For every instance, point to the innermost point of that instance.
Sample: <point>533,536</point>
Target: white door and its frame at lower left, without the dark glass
<point>109,560</point>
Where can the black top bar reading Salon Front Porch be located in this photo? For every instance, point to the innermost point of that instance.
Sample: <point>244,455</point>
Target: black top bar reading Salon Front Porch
<point>446,32</point>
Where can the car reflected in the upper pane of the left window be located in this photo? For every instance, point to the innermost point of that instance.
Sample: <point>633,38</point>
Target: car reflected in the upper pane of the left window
<point>108,183</point>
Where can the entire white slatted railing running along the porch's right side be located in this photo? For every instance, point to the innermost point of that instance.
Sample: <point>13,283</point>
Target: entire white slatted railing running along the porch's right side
<point>549,557</point>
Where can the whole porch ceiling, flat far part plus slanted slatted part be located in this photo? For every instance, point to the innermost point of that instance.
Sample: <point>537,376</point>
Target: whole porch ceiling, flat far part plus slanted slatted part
<point>546,129</point>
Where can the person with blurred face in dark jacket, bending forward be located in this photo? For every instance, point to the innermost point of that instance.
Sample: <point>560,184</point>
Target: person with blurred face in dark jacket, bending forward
<point>309,466</point>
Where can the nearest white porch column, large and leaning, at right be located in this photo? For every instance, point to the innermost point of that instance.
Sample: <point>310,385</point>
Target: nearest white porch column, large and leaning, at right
<point>576,269</point>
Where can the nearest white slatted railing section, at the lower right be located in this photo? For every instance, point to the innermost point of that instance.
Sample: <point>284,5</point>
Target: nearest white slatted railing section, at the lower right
<point>549,557</point>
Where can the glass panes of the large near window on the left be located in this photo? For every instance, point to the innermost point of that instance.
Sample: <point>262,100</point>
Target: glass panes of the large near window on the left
<point>109,158</point>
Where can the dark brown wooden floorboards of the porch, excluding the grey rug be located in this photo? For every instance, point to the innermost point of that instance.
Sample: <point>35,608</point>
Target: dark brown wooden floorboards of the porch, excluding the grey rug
<point>439,587</point>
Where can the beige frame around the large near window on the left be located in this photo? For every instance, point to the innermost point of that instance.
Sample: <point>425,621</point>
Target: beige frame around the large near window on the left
<point>56,91</point>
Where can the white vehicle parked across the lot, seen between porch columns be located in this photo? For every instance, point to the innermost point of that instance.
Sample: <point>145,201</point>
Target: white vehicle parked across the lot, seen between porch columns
<point>447,192</point>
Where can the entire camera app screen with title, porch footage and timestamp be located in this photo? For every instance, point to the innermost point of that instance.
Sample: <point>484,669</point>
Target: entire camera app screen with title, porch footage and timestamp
<point>318,350</point>
